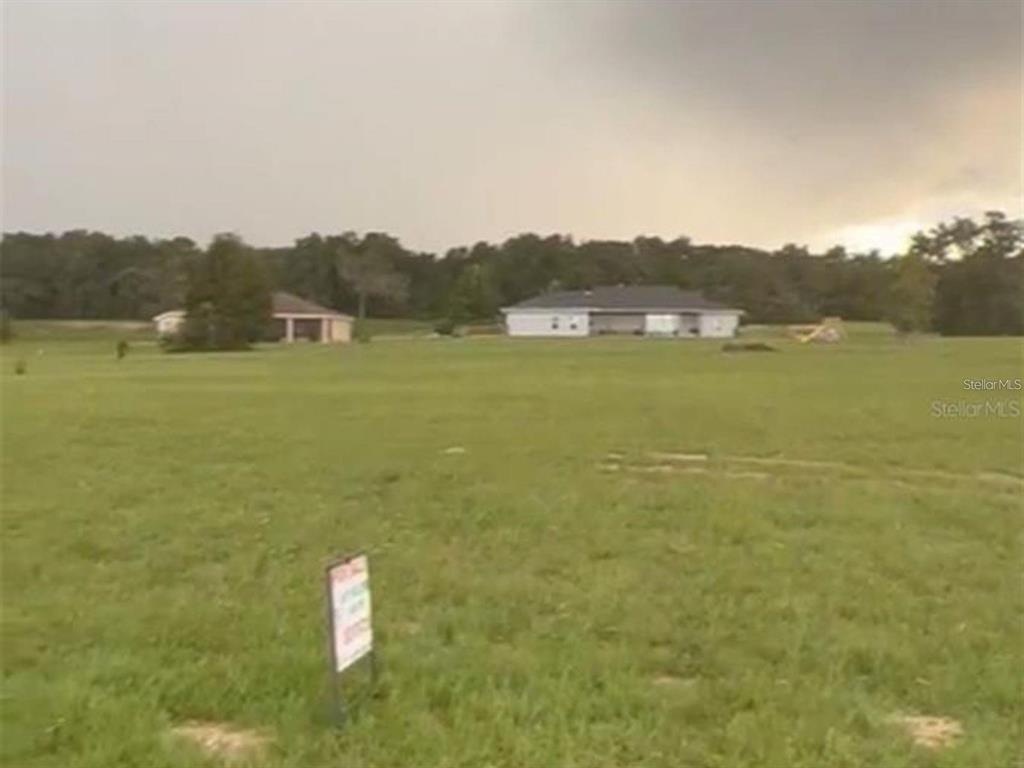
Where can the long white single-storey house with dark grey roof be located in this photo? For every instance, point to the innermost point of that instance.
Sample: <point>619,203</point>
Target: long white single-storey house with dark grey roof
<point>644,311</point>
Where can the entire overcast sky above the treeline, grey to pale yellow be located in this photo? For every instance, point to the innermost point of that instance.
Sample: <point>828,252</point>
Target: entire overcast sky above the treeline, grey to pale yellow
<point>741,121</point>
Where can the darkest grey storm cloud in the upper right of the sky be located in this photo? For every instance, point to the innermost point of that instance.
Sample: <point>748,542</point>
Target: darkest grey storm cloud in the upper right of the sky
<point>827,63</point>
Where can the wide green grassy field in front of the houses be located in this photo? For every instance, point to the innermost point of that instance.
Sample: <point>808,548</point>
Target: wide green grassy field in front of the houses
<point>648,553</point>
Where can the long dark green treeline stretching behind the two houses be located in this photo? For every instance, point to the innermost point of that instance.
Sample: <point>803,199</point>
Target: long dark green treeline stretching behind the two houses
<point>970,276</point>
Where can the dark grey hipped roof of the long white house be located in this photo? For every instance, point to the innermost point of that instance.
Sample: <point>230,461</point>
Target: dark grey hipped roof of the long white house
<point>623,298</point>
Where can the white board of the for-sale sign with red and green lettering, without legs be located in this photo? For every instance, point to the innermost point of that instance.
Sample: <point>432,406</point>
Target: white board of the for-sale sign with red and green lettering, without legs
<point>350,589</point>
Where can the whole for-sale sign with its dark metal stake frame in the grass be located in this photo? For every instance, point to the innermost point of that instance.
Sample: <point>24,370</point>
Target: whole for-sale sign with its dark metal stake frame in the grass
<point>352,637</point>
